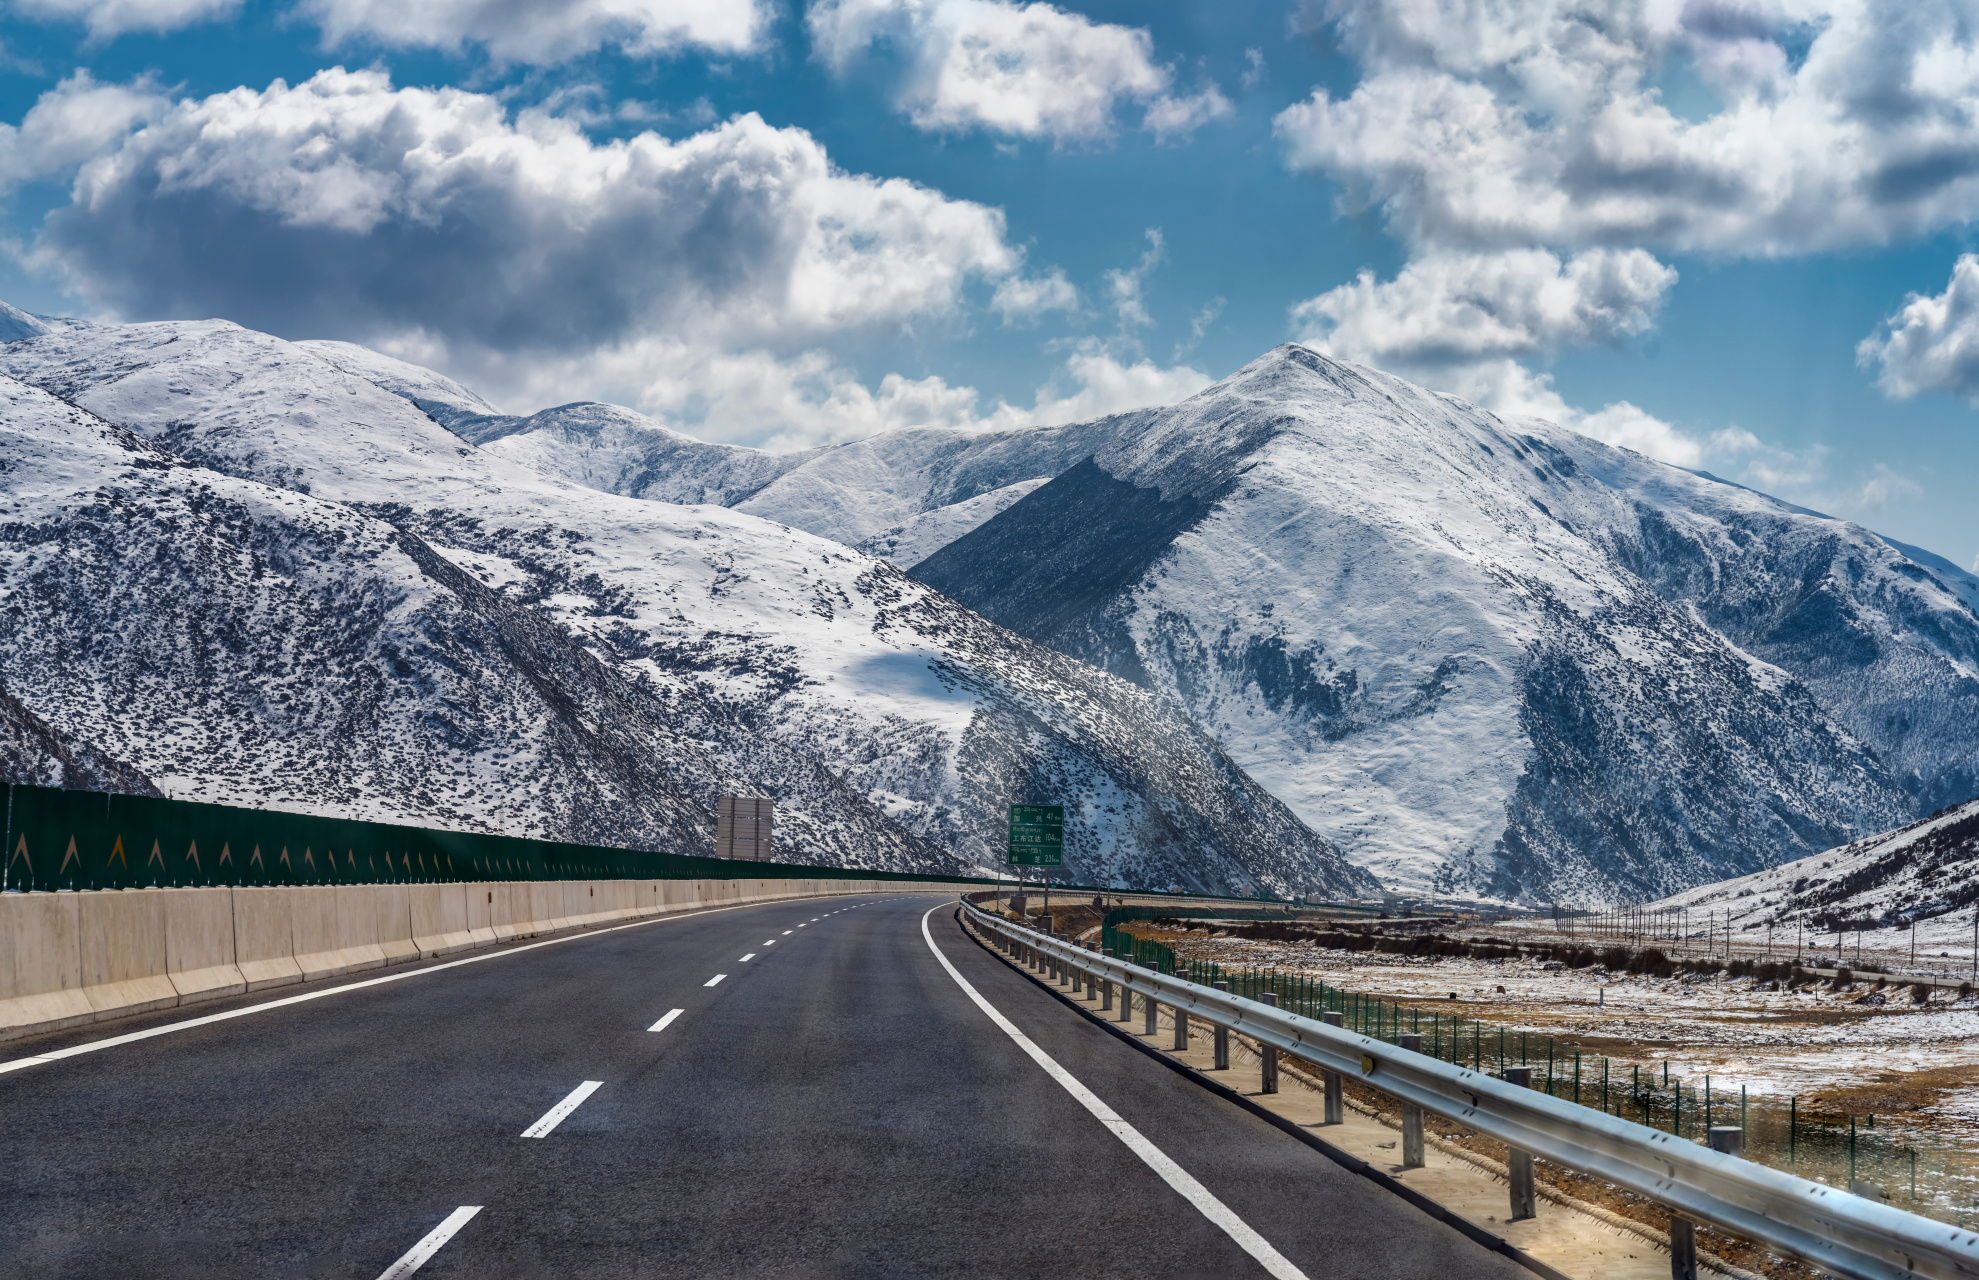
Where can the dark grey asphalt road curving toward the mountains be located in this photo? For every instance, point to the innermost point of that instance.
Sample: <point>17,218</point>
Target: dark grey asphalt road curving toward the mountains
<point>834,1107</point>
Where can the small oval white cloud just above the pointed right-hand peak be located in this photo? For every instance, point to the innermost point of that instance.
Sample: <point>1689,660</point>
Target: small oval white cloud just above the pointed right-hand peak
<point>1460,308</point>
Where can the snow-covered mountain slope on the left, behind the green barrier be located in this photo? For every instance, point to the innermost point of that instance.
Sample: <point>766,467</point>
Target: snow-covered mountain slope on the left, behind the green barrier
<point>399,587</point>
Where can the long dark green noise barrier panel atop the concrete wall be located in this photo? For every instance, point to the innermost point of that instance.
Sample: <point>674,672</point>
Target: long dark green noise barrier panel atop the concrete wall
<point>92,840</point>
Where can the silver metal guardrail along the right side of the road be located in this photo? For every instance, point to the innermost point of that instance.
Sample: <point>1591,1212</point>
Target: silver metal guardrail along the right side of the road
<point>1828,1228</point>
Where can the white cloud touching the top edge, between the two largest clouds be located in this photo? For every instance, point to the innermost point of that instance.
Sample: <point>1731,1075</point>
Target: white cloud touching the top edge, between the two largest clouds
<point>1018,70</point>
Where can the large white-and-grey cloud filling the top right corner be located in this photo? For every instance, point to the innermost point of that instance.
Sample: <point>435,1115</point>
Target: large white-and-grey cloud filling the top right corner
<point>1539,122</point>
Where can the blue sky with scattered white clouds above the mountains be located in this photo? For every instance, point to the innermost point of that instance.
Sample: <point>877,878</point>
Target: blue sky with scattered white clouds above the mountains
<point>1725,232</point>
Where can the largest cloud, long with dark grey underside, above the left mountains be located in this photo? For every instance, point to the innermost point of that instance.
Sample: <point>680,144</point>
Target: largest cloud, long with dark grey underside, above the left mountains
<point>353,209</point>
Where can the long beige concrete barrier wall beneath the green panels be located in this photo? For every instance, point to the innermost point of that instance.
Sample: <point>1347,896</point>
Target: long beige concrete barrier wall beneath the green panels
<point>72,959</point>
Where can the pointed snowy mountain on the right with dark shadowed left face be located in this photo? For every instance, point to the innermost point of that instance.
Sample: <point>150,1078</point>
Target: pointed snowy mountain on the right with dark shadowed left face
<point>1491,656</point>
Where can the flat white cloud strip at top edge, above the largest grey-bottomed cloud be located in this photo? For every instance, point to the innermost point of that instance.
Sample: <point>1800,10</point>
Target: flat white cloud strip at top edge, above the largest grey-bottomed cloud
<point>537,33</point>
